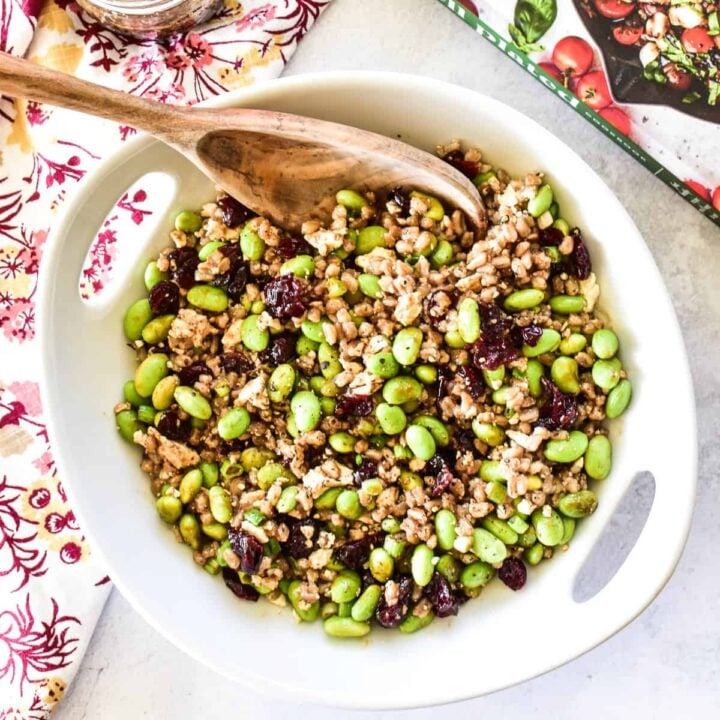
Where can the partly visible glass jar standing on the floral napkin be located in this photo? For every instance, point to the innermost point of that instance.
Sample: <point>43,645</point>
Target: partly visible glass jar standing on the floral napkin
<point>149,19</point>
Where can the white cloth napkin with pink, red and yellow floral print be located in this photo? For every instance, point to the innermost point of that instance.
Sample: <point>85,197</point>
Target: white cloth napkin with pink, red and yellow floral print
<point>51,588</point>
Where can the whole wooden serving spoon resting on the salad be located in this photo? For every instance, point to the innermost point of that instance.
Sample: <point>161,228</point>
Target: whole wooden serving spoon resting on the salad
<point>285,167</point>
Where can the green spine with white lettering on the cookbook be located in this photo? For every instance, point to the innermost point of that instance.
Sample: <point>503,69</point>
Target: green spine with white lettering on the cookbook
<point>564,94</point>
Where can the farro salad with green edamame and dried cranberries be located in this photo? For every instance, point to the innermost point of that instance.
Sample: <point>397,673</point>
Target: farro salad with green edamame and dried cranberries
<point>371,419</point>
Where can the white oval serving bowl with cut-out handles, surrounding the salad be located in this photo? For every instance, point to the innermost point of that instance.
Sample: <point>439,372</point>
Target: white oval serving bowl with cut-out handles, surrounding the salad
<point>497,640</point>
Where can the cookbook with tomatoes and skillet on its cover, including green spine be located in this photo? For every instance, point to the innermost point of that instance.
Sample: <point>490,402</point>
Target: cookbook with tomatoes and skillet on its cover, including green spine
<point>647,74</point>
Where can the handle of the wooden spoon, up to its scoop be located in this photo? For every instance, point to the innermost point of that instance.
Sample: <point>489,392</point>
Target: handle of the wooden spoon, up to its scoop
<point>21,78</point>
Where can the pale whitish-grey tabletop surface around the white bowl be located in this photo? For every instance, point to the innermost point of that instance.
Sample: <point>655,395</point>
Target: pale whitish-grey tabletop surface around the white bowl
<point>664,665</point>
